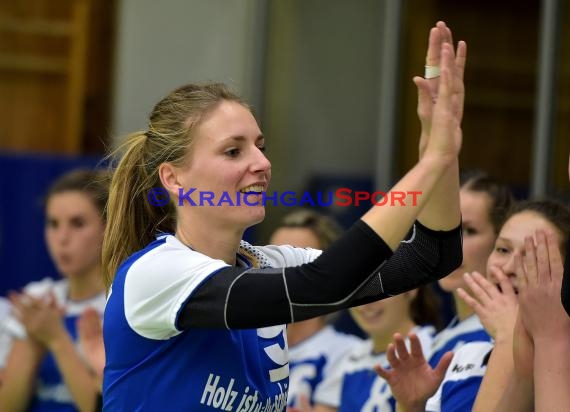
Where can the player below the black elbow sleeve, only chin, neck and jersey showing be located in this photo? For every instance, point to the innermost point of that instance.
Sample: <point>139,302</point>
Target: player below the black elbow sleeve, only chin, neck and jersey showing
<point>353,386</point>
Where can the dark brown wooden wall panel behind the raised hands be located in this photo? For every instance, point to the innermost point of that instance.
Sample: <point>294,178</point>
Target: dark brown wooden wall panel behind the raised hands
<point>502,40</point>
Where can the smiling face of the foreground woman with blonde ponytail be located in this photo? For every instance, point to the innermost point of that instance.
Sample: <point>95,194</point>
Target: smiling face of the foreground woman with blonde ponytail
<point>227,157</point>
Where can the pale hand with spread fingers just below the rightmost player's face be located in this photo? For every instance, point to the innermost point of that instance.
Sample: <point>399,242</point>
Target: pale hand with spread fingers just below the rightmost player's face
<point>497,309</point>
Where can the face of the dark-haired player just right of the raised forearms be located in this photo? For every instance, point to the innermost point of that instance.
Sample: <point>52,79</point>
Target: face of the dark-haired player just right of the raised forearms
<point>478,237</point>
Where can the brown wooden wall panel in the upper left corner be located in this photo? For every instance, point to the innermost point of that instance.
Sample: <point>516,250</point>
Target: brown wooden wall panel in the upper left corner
<point>47,49</point>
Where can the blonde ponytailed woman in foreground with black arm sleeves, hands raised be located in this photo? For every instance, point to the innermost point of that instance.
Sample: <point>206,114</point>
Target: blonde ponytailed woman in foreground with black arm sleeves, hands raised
<point>194,317</point>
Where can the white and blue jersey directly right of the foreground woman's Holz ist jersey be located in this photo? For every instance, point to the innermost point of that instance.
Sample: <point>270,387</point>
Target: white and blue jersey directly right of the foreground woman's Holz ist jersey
<point>311,360</point>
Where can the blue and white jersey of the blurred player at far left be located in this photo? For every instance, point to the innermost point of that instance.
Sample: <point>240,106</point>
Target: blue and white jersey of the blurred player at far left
<point>51,394</point>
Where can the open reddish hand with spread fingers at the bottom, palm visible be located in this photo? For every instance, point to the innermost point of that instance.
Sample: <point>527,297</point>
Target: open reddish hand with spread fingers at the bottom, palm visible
<point>411,379</point>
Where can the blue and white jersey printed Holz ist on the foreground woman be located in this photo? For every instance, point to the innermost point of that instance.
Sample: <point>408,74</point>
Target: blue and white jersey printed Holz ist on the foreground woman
<point>153,366</point>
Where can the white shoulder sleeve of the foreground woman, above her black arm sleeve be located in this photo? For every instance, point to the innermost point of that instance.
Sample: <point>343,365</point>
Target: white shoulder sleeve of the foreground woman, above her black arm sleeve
<point>159,284</point>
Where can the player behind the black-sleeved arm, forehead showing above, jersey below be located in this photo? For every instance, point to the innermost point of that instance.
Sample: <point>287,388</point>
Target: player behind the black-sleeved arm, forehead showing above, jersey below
<point>314,345</point>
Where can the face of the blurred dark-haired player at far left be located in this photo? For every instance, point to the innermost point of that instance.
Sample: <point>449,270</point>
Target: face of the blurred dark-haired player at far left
<point>74,233</point>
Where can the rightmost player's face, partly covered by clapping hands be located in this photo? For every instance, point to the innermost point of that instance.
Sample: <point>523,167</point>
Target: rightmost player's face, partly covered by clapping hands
<point>511,240</point>
